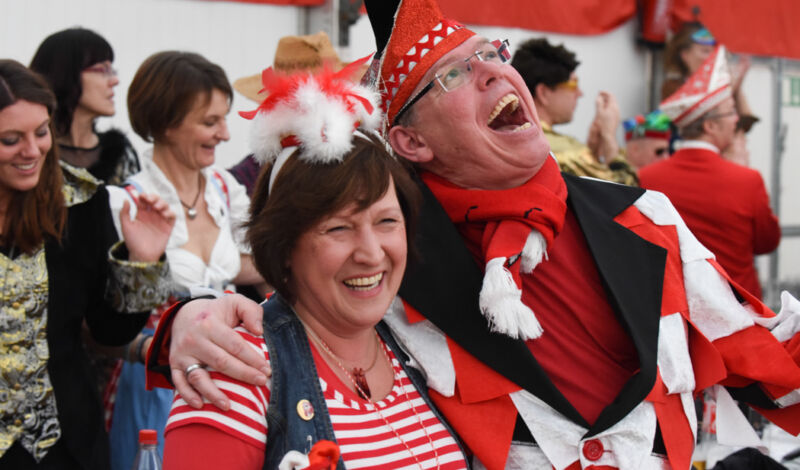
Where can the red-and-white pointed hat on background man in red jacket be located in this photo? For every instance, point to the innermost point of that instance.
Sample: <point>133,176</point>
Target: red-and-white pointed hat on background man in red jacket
<point>706,88</point>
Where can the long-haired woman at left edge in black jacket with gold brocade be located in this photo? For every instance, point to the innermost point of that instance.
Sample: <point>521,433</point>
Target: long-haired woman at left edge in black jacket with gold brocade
<point>59,266</point>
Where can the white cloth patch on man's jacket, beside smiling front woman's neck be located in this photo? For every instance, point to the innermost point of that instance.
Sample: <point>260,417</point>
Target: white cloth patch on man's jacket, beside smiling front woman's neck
<point>426,346</point>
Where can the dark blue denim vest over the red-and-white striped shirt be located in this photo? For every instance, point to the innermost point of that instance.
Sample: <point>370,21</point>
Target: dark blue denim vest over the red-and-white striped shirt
<point>295,378</point>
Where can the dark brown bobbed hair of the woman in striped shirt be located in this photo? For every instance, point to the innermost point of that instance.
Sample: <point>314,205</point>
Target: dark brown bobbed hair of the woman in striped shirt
<point>305,193</point>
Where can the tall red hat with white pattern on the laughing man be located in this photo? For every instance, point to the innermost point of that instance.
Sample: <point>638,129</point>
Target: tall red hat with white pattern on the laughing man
<point>411,35</point>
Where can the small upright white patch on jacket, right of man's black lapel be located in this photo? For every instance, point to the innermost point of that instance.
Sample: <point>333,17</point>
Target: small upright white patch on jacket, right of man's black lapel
<point>674,362</point>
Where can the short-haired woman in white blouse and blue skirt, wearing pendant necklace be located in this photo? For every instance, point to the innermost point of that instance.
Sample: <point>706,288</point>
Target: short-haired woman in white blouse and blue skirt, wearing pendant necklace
<point>179,101</point>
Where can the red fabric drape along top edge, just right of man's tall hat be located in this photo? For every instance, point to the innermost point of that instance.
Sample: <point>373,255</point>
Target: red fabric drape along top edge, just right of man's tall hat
<point>559,16</point>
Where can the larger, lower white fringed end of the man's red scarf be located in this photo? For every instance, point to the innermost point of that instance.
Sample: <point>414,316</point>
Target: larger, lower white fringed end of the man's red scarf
<point>501,303</point>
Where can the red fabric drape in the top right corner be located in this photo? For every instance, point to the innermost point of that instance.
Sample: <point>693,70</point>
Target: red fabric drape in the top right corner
<point>762,27</point>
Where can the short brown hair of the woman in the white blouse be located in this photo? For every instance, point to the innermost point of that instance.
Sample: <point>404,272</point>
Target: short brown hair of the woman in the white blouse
<point>166,88</point>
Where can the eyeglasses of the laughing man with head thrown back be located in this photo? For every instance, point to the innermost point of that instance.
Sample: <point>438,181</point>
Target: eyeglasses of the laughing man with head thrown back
<point>457,73</point>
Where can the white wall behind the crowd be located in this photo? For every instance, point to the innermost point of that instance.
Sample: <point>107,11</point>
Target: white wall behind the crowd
<point>241,38</point>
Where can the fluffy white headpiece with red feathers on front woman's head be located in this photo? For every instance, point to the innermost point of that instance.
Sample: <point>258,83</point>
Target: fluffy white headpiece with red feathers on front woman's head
<point>317,112</point>
